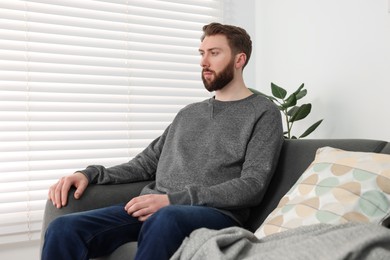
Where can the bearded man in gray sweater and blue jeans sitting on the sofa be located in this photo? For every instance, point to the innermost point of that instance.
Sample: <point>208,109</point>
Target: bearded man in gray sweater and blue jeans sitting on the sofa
<point>210,166</point>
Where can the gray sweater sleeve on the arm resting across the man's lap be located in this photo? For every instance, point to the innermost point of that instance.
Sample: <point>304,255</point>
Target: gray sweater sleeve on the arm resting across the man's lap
<point>260,162</point>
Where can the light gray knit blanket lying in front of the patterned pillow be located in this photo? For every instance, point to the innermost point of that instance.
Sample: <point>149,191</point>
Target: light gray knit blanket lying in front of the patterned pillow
<point>319,242</point>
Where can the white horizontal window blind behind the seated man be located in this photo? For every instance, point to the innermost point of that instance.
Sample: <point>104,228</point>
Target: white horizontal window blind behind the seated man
<point>87,82</point>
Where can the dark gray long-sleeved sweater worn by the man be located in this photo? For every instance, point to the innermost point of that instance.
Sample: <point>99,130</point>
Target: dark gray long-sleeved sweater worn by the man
<point>216,154</point>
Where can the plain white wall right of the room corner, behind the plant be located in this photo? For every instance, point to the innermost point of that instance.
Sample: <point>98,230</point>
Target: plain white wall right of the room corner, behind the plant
<point>340,49</point>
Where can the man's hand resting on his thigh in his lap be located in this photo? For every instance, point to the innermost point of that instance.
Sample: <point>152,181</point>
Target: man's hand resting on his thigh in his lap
<point>144,206</point>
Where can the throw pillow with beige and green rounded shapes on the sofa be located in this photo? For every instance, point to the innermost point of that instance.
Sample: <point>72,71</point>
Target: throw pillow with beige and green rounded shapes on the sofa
<point>338,186</point>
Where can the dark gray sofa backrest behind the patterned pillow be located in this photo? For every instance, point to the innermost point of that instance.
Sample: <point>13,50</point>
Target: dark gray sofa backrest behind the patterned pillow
<point>295,157</point>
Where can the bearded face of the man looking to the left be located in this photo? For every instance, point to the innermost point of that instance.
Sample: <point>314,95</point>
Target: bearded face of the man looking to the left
<point>217,62</point>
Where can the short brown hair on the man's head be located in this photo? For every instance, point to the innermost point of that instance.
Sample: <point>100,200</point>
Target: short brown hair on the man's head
<point>238,39</point>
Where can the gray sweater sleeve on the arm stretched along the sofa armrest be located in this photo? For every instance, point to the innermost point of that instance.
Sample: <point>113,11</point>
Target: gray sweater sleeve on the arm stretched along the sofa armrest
<point>142,167</point>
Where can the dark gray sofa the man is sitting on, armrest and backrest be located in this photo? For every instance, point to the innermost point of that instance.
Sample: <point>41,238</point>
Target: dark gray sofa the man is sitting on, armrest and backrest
<point>296,155</point>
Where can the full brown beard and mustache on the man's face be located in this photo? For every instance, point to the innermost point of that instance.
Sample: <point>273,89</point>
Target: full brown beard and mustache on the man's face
<point>221,79</point>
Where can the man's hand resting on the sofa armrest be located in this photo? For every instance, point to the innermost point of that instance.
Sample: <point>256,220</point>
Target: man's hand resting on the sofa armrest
<point>58,193</point>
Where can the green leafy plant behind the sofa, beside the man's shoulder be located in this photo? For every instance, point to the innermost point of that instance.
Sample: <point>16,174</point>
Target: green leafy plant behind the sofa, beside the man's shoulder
<point>288,106</point>
